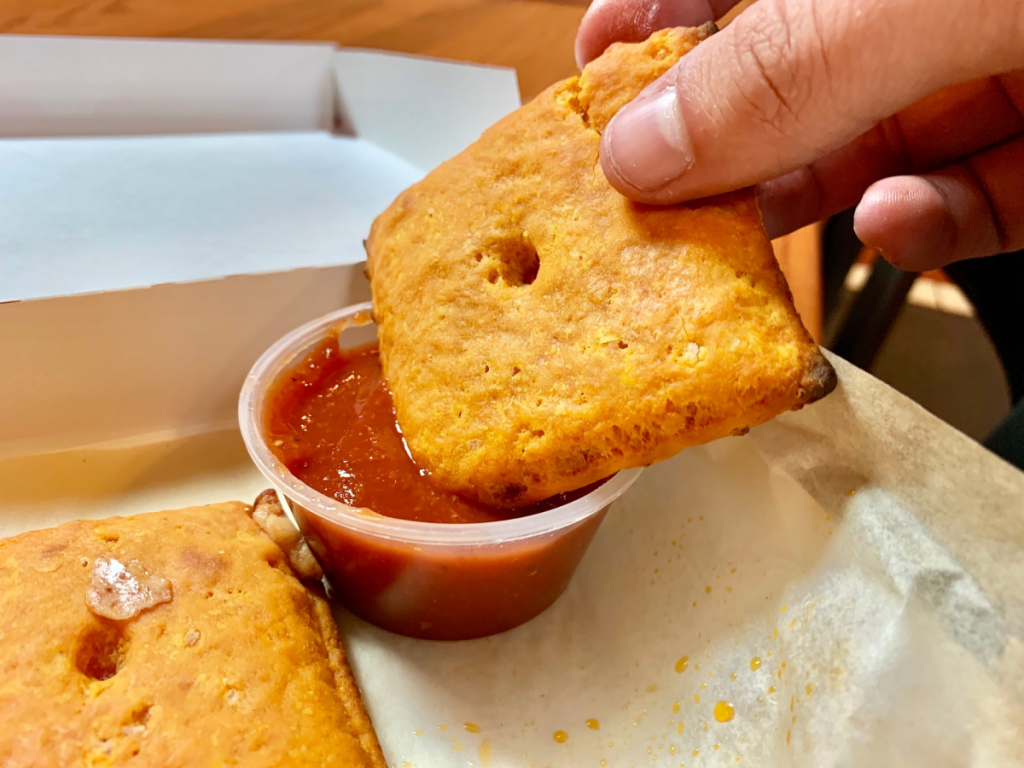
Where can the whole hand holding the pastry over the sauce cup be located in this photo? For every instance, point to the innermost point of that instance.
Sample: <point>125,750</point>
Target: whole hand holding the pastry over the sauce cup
<point>914,108</point>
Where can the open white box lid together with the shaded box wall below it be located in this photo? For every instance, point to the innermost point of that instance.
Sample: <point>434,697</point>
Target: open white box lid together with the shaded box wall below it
<point>153,170</point>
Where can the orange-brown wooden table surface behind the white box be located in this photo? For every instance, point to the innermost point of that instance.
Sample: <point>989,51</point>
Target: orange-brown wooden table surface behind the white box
<point>535,37</point>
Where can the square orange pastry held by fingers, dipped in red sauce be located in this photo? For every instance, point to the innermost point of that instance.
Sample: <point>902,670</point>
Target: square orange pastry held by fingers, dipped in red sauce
<point>540,332</point>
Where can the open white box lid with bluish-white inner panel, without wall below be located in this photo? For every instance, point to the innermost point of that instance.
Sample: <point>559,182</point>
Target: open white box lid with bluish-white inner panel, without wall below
<point>119,202</point>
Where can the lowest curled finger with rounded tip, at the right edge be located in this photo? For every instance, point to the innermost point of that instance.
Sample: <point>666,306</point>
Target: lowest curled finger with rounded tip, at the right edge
<point>968,210</point>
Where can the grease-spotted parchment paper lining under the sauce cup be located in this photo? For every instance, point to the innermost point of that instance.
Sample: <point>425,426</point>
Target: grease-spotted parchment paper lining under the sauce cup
<point>870,559</point>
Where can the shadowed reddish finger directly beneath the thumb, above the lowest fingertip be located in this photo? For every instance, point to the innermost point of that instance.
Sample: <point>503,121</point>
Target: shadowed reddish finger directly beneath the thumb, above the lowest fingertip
<point>927,136</point>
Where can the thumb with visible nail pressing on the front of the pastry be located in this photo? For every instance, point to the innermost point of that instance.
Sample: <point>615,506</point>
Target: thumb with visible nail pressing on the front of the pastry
<point>790,81</point>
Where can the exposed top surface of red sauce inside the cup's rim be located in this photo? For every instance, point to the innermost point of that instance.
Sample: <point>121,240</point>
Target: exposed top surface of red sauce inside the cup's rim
<point>332,423</point>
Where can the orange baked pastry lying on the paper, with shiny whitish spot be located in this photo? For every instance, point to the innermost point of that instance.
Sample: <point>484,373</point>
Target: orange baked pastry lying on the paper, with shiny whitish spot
<point>221,656</point>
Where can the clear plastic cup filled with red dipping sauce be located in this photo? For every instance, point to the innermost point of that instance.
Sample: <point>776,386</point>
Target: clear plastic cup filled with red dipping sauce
<point>319,407</point>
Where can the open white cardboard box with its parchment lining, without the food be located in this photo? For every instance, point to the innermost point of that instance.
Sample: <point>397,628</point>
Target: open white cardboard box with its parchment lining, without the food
<point>870,558</point>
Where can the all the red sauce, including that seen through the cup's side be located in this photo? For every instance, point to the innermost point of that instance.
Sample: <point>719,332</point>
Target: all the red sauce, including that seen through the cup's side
<point>331,421</point>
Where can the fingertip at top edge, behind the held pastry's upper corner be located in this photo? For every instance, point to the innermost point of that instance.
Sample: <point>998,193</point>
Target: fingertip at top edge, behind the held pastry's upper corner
<point>608,22</point>
